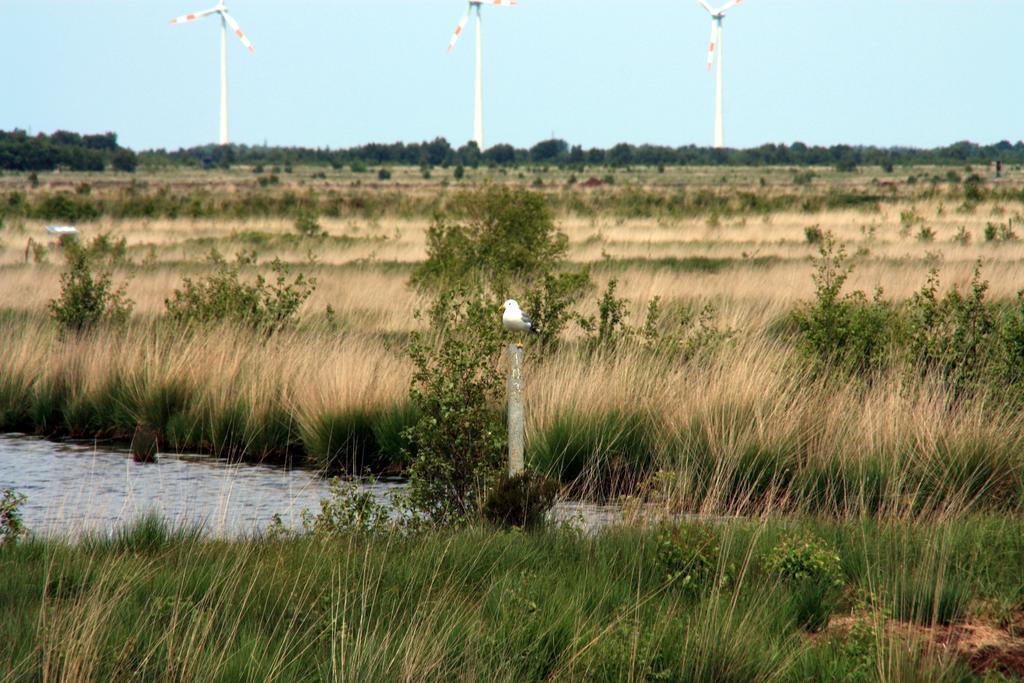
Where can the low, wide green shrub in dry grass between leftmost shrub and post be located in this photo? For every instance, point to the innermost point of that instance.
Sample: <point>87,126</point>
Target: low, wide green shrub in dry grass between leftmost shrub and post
<point>223,296</point>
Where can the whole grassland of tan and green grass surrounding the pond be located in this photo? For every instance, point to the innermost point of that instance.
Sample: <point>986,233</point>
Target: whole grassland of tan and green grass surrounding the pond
<point>869,448</point>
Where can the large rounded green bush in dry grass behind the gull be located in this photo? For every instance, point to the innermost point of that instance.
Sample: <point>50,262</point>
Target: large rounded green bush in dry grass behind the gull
<point>506,234</point>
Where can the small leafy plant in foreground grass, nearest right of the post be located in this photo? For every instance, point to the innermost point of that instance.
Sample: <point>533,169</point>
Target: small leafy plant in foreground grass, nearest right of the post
<point>691,556</point>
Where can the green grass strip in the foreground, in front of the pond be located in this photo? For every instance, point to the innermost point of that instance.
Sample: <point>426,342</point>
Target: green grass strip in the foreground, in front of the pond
<point>151,603</point>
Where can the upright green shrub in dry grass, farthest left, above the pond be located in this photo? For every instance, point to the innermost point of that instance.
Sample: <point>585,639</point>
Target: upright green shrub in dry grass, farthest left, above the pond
<point>89,296</point>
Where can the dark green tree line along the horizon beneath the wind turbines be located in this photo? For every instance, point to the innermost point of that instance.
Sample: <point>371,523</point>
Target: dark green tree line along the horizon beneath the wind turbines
<point>75,152</point>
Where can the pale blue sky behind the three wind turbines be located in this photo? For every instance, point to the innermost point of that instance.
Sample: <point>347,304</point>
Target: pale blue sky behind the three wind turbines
<point>339,73</point>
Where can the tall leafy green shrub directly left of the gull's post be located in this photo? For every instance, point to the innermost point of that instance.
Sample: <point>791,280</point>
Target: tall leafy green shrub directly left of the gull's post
<point>458,446</point>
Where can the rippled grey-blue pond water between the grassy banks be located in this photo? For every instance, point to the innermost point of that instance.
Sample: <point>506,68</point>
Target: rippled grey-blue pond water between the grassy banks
<point>74,488</point>
